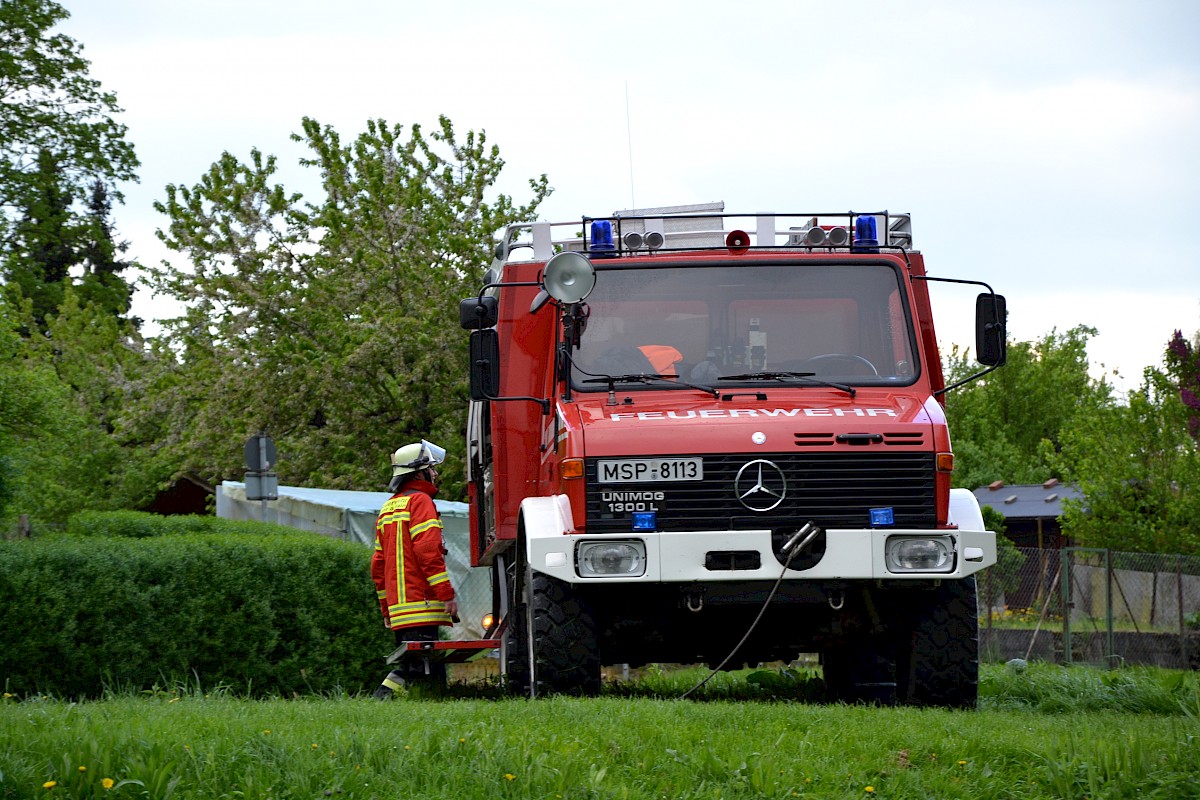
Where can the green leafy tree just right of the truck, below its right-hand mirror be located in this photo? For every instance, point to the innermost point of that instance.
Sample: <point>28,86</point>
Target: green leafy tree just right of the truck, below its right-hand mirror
<point>1010,425</point>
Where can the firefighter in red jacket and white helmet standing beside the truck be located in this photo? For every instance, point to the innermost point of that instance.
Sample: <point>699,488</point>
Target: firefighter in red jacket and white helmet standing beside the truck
<point>409,567</point>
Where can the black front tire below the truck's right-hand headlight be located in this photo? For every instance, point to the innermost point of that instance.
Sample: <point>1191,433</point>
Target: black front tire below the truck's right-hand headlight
<point>939,654</point>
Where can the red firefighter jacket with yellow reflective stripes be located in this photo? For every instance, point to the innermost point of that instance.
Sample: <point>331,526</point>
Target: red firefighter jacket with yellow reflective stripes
<point>409,567</point>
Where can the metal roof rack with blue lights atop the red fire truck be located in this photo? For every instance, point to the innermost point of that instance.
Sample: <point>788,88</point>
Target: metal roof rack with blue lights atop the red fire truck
<point>673,230</point>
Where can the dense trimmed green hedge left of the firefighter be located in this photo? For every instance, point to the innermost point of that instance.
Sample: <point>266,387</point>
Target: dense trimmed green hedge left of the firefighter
<point>261,615</point>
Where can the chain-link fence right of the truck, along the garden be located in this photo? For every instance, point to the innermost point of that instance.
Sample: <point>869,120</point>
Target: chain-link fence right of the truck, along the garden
<point>1095,606</point>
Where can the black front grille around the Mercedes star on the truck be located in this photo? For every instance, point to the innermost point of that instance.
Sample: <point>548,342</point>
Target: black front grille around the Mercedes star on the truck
<point>832,490</point>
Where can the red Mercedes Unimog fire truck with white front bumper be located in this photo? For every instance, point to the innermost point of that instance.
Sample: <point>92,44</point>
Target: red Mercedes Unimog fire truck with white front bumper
<point>680,430</point>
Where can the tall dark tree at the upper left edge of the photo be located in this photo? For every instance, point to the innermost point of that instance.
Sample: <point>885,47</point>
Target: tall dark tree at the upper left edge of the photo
<point>59,145</point>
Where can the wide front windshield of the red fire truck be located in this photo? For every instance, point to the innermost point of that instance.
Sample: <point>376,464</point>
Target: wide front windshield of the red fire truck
<point>845,323</point>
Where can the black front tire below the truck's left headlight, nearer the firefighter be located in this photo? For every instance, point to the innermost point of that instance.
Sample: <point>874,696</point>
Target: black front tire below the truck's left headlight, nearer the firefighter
<point>563,646</point>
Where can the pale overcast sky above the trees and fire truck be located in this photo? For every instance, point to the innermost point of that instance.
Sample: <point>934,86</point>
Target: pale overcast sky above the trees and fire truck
<point>1049,149</point>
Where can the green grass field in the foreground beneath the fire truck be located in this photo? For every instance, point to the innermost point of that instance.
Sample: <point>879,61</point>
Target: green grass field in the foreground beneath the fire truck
<point>1047,732</point>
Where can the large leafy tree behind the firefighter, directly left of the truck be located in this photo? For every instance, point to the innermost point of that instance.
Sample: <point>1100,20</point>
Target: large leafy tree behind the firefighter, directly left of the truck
<point>332,324</point>
